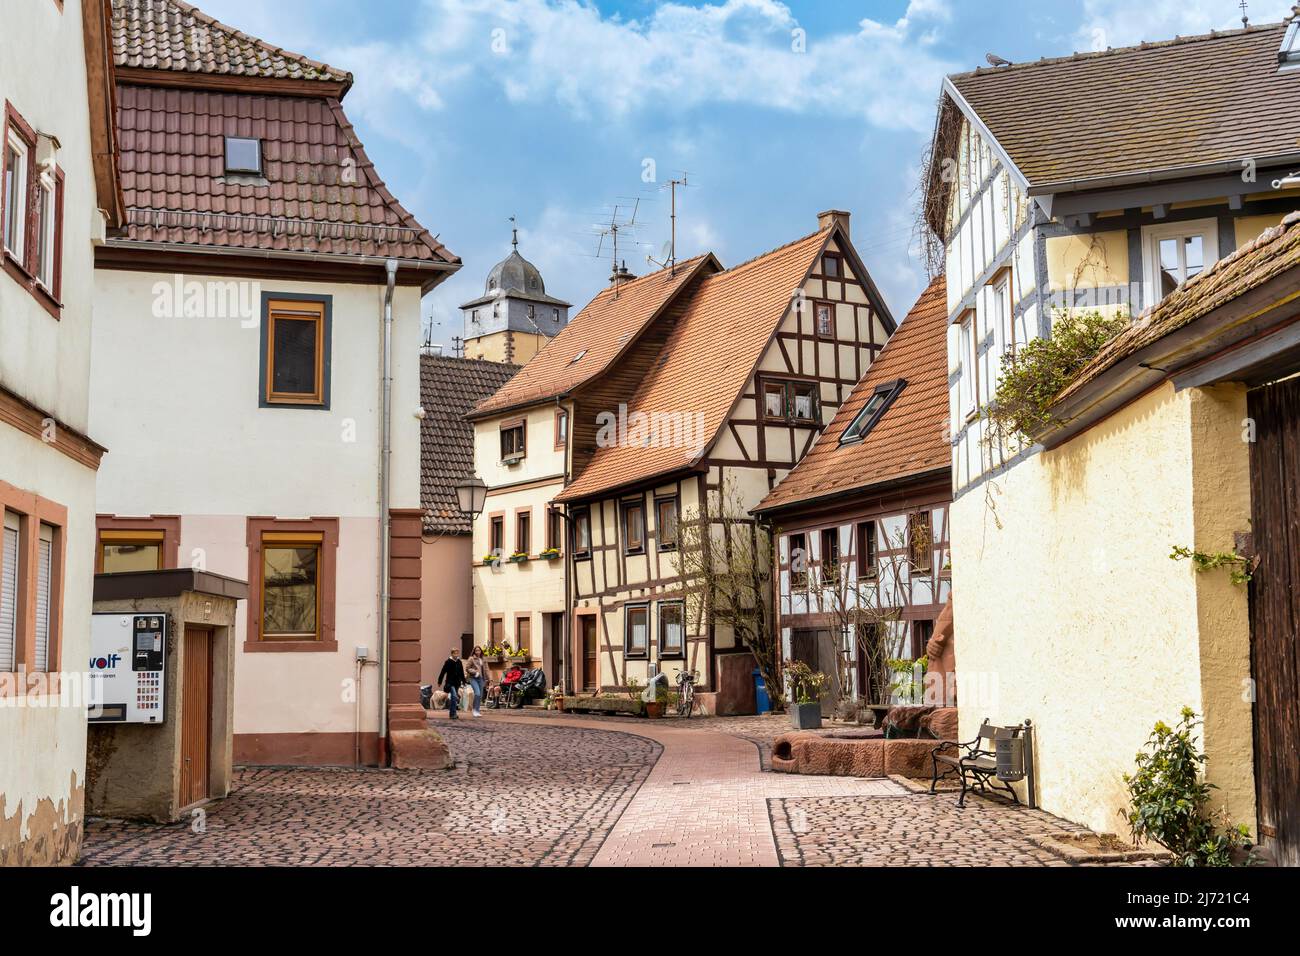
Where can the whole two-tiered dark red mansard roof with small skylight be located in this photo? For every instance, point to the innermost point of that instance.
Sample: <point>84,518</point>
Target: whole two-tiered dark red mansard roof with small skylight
<point>319,194</point>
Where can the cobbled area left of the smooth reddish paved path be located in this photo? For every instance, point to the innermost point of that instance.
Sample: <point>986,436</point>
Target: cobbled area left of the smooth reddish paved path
<point>519,795</point>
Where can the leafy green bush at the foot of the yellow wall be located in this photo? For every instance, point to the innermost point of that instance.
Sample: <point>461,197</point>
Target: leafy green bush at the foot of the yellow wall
<point>1169,801</point>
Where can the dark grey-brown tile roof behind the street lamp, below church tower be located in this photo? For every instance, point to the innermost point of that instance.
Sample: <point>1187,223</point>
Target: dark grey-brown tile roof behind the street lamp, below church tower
<point>449,388</point>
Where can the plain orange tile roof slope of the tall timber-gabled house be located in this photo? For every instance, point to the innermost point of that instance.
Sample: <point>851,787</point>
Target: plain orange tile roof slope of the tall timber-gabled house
<point>710,354</point>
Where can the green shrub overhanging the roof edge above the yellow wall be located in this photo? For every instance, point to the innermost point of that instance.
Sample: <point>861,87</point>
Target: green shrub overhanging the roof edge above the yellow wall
<point>1038,371</point>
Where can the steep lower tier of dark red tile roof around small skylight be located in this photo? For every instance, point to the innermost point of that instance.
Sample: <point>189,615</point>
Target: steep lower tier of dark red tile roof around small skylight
<point>174,176</point>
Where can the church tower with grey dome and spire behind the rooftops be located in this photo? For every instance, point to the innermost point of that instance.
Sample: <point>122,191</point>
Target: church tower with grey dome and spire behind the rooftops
<point>514,318</point>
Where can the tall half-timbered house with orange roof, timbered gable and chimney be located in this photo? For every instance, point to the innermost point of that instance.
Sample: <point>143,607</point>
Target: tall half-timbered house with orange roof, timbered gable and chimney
<point>713,408</point>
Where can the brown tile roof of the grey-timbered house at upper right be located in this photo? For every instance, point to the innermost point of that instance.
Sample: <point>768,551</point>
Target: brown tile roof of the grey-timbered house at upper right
<point>1186,102</point>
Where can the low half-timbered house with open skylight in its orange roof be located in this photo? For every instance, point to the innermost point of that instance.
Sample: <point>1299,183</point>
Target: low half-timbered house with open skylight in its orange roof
<point>863,520</point>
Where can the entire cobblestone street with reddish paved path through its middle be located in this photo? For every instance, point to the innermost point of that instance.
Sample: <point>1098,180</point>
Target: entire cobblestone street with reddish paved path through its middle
<point>557,790</point>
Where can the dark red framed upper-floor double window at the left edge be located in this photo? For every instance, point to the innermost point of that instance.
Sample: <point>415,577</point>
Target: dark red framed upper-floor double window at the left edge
<point>21,265</point>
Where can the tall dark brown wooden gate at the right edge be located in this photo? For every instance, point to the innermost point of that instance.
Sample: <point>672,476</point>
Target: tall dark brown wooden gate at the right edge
<point>1276,616</point>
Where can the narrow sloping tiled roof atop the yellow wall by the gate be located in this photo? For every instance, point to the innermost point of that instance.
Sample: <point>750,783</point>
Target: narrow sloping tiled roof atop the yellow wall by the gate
<point>1251,266</point>
